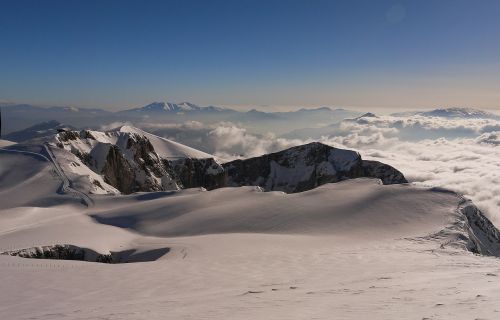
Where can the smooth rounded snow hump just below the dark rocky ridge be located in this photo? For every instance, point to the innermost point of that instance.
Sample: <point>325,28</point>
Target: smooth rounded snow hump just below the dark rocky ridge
<point>340,210</point>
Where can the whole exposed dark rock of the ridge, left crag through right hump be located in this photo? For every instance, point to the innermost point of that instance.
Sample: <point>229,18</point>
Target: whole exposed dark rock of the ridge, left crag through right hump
<point>129,162</point>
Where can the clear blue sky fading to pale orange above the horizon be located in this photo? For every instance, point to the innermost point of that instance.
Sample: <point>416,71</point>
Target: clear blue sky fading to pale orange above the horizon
<point>373,53</point>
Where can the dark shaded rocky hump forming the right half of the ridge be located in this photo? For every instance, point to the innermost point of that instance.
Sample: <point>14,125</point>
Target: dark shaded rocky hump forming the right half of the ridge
<point>306,167</point>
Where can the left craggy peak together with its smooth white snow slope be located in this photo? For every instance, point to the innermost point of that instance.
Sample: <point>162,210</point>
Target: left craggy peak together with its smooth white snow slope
<point>131,160</point>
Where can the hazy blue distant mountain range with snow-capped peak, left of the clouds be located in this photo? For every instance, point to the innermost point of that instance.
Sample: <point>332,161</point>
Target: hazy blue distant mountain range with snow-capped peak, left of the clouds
<point>20,116</point>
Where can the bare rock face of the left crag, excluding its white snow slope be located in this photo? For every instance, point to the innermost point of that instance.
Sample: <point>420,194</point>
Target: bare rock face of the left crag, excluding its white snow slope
<point>130,163</point>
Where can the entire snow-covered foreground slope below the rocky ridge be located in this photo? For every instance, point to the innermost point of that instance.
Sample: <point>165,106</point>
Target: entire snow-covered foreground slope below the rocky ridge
<point>355,249</point>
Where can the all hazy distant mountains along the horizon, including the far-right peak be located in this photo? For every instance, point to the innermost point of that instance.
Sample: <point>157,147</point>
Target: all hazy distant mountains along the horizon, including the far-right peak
<point>302,123</point>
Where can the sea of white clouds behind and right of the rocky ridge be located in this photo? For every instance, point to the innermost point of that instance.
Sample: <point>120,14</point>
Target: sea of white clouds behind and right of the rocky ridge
<point>460,154</point>
